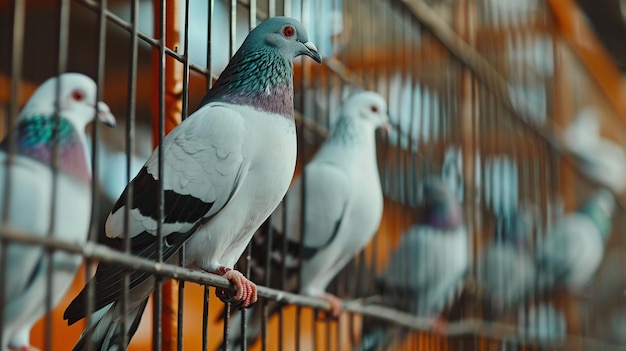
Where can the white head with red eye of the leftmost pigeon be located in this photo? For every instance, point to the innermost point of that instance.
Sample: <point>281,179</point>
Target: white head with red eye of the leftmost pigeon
<point>76,101</point>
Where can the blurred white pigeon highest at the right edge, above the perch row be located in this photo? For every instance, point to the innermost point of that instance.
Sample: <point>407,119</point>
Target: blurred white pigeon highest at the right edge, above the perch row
<point>599,158</point>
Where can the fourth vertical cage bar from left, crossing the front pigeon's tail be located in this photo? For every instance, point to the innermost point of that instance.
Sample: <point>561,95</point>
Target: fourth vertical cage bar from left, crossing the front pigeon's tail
<point>130,145</point>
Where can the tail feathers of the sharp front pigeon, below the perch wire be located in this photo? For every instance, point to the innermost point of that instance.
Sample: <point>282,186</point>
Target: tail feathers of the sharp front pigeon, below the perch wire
<point>105,333</point>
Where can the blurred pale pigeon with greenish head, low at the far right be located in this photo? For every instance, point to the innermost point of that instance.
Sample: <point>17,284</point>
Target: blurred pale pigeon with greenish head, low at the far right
<point>573,247</point>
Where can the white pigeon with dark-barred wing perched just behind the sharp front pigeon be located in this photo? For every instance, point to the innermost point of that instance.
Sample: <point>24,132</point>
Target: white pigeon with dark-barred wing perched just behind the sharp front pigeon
<point>343,208</point>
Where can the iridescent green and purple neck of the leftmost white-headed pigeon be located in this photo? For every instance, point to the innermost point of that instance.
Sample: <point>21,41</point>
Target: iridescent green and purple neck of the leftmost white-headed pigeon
<point>34,138</point>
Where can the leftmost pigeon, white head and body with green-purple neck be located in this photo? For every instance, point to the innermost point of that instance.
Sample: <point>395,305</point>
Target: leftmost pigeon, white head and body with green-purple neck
<point>30,196</point>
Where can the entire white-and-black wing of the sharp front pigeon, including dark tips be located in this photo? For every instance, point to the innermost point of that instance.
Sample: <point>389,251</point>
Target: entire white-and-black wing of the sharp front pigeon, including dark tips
<point>203,166</point>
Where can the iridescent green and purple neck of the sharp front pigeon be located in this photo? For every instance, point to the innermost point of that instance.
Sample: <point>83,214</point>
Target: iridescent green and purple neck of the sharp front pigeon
<point>258,77</point>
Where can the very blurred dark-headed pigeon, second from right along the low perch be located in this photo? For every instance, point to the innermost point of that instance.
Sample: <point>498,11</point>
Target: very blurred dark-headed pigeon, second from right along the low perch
<point>507,269</point>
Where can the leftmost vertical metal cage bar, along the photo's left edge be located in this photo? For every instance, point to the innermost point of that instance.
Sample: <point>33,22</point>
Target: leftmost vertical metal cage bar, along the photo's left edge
<point>17,53</point>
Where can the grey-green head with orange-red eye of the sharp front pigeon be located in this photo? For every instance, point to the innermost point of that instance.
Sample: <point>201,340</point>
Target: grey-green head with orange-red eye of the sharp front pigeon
<point>286,34</point>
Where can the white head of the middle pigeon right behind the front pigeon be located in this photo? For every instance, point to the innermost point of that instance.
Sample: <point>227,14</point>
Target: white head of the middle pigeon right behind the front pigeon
<point>366,108</point>
